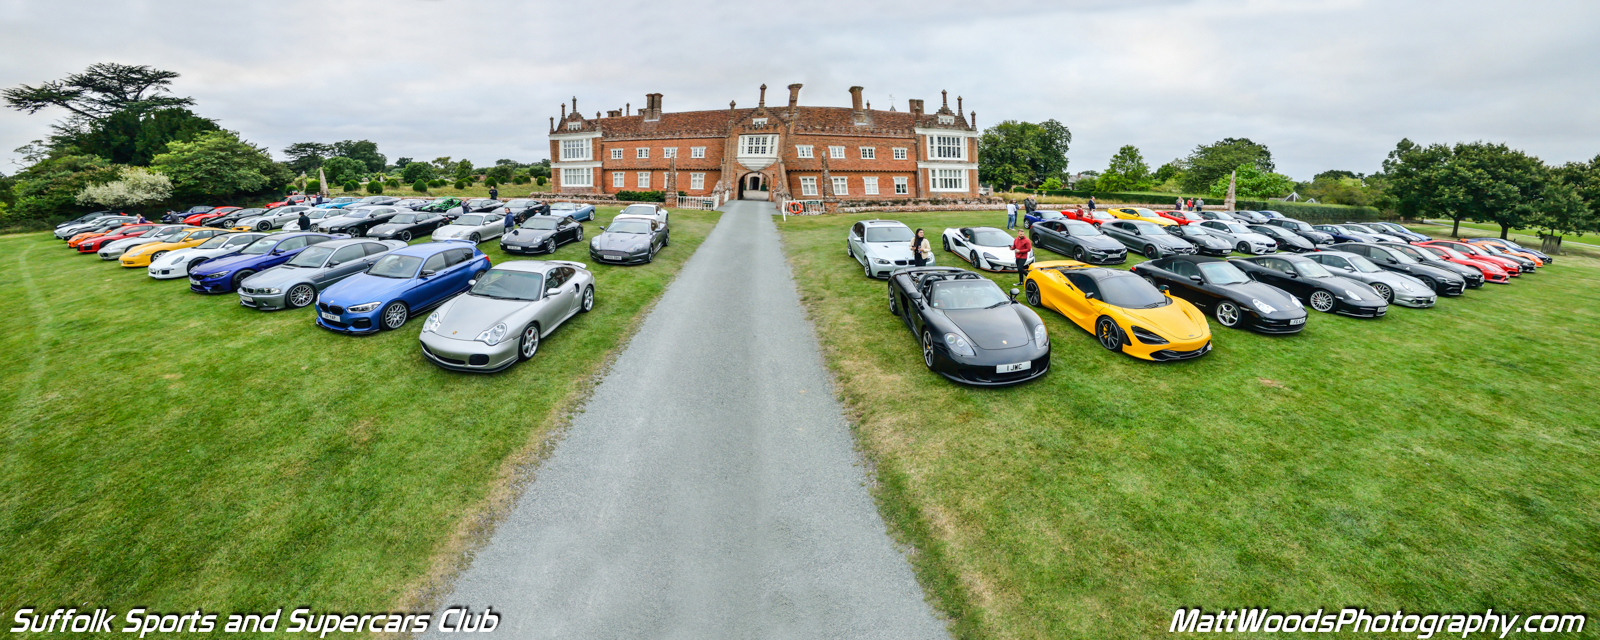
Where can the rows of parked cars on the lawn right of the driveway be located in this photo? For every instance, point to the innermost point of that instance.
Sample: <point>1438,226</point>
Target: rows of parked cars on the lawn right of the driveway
<point>972,332</point>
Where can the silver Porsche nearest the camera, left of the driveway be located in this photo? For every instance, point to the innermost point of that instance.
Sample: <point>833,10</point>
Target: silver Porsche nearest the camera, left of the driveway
<point>508,311</point>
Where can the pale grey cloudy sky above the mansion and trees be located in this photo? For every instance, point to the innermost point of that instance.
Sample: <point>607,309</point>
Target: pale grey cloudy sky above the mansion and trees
<point>1326,84</point>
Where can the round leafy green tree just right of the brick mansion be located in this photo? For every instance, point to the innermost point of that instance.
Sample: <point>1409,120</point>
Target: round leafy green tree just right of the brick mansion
<point>1023,153</point>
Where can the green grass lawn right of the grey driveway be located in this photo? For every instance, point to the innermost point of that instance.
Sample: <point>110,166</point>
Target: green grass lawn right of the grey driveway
<point>1438,460</point>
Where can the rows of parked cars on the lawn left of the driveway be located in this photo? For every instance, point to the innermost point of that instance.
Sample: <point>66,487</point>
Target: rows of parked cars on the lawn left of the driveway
<point>366,279</point>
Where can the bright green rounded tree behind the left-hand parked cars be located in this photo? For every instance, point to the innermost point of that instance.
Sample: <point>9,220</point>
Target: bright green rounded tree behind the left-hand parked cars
<point>218,167</point>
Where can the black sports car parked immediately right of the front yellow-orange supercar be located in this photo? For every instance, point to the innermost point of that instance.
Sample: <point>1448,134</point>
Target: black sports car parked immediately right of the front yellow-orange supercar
<point>1225,292</point>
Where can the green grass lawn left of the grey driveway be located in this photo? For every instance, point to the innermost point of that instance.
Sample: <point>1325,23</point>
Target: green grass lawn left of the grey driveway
<point>172,450</point>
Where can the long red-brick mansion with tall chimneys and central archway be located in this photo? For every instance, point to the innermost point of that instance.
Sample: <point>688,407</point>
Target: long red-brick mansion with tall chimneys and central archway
<point>788,153</point>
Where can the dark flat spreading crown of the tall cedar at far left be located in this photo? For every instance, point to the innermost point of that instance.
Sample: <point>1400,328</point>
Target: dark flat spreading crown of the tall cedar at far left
<point>97,94</point>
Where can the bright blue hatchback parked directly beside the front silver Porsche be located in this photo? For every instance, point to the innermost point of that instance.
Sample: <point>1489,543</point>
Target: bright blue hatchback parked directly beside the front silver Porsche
<point>402,284</point>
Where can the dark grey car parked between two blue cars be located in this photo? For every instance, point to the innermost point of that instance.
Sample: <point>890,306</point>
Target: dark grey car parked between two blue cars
<point>295,284</point>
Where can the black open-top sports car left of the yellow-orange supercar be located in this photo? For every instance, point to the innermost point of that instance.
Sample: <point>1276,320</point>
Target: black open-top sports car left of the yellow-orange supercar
<point>970,330</point>
